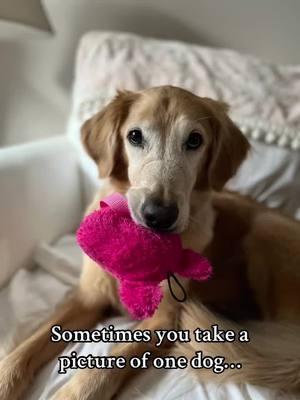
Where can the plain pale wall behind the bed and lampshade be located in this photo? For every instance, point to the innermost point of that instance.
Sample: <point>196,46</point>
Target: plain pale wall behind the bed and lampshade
<point>36,69</point>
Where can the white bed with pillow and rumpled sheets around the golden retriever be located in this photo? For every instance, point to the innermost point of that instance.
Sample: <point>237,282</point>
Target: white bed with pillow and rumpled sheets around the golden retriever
<point>265,103</point>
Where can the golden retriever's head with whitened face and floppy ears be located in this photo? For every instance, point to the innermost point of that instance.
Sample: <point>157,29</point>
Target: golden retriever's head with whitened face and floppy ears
<point>165,143</point>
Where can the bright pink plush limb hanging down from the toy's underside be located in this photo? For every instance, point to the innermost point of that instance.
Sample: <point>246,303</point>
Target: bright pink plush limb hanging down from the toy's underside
<point>141,299</point>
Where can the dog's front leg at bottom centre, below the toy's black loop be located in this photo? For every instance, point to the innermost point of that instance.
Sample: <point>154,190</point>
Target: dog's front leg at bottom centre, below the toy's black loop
<point>93,384</point>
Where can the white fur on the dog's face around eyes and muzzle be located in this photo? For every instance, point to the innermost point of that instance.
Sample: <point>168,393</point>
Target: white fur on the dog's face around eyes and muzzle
<point>164,165</point>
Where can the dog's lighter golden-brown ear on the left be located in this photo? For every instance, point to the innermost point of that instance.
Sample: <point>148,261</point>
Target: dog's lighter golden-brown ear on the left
<point>102,140</point>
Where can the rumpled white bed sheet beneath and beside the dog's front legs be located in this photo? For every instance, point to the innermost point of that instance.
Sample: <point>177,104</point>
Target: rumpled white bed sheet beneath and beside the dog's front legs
<point>33,294</point>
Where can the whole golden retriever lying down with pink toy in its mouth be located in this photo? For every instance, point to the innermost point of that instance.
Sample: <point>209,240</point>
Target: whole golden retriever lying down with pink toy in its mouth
<point>171,153</point>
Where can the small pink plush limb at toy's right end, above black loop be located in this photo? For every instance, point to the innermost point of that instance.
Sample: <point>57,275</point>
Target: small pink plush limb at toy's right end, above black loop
<point>194,266</point>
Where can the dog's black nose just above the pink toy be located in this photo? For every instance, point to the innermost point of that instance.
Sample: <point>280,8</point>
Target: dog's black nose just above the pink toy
<point>158,216</point>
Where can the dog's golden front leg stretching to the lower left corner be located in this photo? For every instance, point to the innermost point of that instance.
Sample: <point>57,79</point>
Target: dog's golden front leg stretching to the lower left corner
<point>81,311</point>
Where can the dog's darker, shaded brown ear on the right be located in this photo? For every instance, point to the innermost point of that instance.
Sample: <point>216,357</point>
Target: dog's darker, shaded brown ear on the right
<point>229,146</point>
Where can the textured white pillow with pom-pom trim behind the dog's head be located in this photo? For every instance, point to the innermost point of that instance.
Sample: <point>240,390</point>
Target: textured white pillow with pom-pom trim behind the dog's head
<point>264,99</point>
